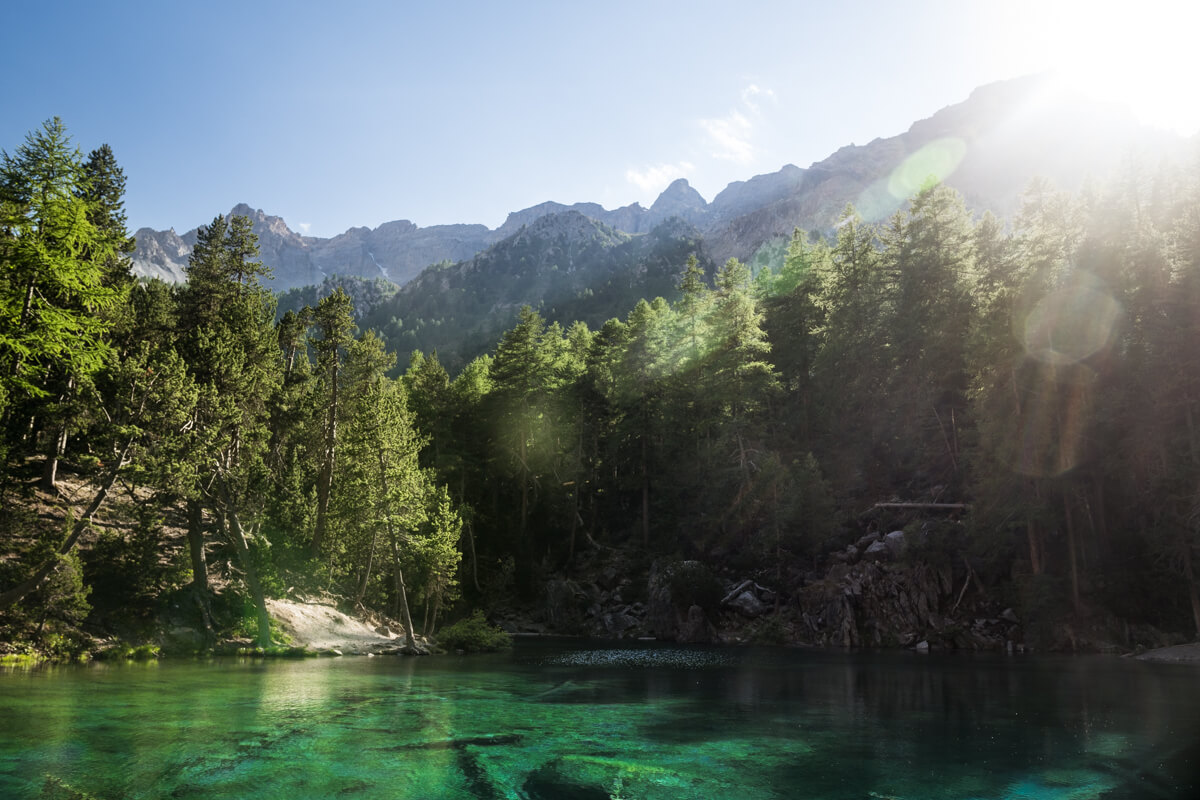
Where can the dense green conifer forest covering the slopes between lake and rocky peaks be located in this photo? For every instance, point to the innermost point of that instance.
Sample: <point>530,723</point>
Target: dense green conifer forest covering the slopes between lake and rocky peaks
<point>1021,396</point>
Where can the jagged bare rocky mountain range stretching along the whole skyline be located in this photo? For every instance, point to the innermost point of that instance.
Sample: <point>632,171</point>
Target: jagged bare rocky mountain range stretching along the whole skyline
<point>988,148</point>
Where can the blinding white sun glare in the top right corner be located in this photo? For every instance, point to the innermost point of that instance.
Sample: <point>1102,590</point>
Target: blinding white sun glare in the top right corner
<point>1139,55</point>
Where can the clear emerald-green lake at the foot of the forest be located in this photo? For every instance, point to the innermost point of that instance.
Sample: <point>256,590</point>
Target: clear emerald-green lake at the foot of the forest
<point>580,721</point>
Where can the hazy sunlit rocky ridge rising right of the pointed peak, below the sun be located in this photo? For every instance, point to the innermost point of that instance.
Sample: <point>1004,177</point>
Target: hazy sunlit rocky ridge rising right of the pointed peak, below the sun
<point>988,148</point>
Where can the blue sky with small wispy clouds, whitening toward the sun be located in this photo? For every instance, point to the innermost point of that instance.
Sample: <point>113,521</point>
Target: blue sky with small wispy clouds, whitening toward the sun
<point>347,115</point>
